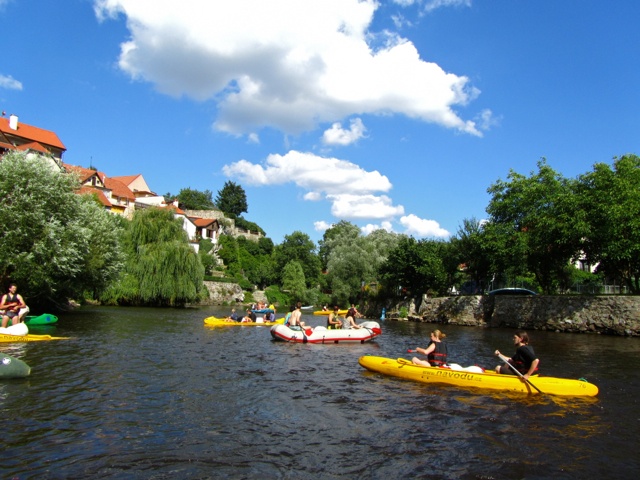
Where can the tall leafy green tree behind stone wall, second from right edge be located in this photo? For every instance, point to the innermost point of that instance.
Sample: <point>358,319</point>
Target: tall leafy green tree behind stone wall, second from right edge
<point>541,211</point>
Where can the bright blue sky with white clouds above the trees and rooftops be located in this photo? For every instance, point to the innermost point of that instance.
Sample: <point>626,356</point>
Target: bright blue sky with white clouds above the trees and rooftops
<point>395,114</point>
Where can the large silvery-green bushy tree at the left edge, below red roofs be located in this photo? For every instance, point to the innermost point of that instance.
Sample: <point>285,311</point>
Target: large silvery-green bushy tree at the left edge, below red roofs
<point>55,244</point>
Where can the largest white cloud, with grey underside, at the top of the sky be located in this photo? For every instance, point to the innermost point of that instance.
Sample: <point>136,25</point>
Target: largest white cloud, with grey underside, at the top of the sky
<point>285,64</point>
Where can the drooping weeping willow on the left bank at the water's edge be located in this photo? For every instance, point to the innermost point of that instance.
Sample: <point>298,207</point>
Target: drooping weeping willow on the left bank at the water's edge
<point>161,269</point>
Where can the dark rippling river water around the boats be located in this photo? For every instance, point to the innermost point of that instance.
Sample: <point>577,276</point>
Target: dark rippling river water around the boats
<point>154,394</point>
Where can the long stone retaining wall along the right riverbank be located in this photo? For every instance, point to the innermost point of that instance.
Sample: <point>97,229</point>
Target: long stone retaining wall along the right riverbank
<point>613,315</point>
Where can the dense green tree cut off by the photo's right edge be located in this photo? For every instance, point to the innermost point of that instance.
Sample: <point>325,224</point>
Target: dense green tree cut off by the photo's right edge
<point>610,202</point>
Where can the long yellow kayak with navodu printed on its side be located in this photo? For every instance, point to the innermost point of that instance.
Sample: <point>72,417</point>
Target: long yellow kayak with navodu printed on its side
<point>488,380</point>
